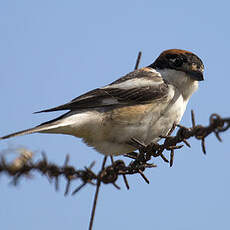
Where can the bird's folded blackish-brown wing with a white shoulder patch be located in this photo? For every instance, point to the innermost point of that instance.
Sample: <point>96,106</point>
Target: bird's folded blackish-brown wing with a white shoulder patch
<point>121,92</point>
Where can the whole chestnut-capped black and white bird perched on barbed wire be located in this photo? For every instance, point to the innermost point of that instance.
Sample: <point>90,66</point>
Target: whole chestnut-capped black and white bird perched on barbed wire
<point>144,105</point>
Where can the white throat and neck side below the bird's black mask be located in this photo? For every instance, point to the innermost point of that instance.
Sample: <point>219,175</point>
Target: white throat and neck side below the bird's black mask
<point>186,85</point>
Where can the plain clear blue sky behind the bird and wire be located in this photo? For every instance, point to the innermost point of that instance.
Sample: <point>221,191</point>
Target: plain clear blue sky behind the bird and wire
<point>52,51</point>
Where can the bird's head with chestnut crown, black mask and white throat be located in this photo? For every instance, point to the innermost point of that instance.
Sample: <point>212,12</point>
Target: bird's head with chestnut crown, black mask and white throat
<point>181,68</point>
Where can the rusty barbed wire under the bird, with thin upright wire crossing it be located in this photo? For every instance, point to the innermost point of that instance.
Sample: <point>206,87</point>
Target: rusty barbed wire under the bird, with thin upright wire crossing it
<point>24,165</point>
